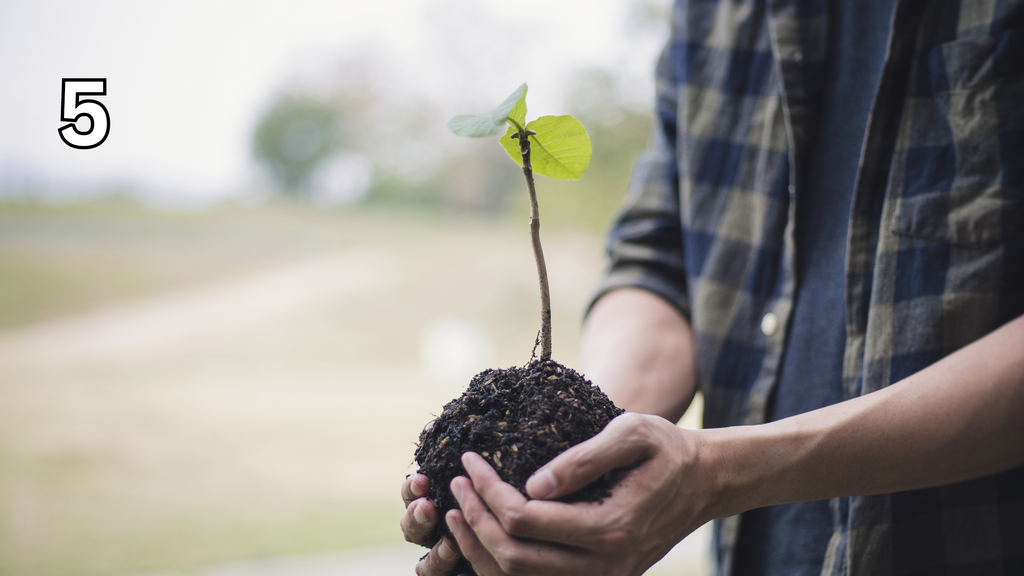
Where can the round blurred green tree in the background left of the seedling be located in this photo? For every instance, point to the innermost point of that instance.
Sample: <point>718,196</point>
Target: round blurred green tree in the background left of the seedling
<point>294,138</point>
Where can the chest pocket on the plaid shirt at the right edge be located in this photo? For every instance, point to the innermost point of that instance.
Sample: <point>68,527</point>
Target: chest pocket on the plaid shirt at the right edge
<point>963,173</point>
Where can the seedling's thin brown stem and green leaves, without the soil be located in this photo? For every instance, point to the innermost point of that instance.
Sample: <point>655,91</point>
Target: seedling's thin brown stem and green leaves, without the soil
<point>557,147</point>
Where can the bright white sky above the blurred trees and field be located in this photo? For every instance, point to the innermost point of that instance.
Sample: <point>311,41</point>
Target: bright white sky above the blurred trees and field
<point>188,79</point>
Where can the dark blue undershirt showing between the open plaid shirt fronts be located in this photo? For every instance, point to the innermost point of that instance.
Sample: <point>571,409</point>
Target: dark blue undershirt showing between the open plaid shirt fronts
<point>791,541</point>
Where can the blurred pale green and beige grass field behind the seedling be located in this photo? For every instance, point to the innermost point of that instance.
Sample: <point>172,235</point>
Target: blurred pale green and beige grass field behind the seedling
<point>184,390</point>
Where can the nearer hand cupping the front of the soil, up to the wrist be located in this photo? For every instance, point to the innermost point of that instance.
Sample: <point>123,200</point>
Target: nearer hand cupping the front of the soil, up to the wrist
<point>663,495</point>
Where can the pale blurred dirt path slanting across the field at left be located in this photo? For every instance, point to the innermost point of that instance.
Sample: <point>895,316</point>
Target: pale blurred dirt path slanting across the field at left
<point>154,325</point>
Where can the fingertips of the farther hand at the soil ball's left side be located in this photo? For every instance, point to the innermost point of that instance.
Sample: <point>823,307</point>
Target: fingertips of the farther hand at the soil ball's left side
<point>417,524</point>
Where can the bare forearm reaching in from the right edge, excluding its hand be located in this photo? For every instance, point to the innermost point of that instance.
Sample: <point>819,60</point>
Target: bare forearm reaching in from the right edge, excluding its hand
<point>961,419</point>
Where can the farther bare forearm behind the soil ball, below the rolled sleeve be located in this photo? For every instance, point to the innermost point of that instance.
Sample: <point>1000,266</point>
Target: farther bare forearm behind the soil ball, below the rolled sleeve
<point>641,352</point>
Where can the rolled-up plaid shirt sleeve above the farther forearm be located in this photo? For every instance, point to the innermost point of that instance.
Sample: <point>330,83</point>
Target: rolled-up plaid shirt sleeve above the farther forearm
<point>646,245</point>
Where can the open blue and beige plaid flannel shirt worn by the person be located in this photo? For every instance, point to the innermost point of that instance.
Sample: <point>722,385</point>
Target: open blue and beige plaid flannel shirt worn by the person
<point>935,256</point>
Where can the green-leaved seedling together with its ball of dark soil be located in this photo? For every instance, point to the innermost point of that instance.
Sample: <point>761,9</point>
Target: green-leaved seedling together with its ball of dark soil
<point>520,419</point>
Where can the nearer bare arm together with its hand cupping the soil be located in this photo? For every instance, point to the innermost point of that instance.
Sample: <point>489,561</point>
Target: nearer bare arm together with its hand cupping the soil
<point>958,420</point>
